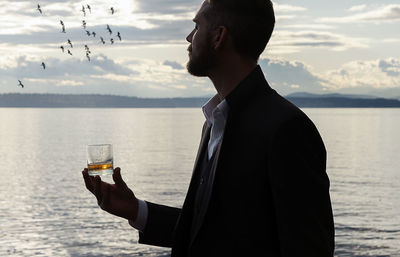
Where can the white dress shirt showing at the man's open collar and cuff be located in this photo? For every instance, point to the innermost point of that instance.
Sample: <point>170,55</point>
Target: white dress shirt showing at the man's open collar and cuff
<point>216,113</point>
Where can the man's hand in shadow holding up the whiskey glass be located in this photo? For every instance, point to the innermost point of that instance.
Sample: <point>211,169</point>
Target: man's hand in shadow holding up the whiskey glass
<point>116,199</point>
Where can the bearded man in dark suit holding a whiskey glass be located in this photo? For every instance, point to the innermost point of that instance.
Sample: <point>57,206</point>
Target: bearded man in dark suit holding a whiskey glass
<point>259,185</point>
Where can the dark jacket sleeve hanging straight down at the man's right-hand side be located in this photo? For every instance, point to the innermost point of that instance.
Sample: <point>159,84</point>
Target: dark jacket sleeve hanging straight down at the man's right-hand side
<point>300,190</point>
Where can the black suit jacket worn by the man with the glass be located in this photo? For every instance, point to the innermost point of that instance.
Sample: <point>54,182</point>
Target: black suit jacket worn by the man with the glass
<point>270,190</point>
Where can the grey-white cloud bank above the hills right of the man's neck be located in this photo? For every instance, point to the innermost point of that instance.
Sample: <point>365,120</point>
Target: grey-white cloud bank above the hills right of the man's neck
<point>363,76</point>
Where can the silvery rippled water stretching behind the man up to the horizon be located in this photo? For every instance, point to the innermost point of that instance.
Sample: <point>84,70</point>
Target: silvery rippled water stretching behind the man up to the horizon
<point>45,210</point>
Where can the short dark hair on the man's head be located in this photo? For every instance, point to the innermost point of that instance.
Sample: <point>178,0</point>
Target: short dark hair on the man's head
<point>250,23</point>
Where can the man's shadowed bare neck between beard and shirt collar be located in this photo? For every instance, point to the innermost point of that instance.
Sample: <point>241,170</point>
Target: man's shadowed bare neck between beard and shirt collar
<point>229,74</point>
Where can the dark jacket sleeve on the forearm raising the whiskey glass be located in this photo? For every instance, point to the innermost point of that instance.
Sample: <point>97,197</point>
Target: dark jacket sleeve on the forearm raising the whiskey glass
<point>160,225</point>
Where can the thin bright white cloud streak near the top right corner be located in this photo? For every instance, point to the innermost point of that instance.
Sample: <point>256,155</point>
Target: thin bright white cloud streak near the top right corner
<point>386,13</point>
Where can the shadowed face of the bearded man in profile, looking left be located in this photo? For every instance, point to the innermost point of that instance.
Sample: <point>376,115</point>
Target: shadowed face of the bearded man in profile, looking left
<point>201,53</point>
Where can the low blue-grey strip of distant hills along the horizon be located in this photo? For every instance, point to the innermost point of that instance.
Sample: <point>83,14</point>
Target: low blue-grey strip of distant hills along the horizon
<point>112,101</point>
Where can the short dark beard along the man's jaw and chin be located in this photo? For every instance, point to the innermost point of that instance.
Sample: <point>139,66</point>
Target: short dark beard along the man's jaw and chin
<point>200,64</point>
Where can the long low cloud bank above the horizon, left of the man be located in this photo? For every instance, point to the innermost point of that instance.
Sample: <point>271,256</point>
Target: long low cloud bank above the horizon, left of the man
<point>134,77</point>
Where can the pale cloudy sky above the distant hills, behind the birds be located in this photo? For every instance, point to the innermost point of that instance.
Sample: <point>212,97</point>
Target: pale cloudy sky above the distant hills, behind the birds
<point>318,46</point>
